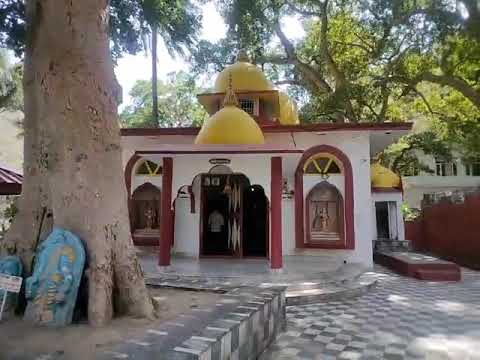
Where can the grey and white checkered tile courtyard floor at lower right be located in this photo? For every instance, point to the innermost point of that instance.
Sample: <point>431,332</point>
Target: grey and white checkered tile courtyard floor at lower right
<point>401,318</point>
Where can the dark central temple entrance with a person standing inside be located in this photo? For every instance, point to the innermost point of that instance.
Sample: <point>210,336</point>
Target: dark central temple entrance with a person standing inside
<point>234,218</point>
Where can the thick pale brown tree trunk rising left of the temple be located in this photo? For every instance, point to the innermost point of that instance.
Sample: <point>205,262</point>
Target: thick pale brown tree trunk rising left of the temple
<point>73,167</point>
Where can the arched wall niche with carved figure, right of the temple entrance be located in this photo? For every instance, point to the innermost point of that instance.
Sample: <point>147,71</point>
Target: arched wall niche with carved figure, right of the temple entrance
<point>324,214</point>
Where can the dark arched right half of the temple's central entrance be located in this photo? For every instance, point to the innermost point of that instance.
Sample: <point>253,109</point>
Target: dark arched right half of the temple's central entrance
<point>255,222</point>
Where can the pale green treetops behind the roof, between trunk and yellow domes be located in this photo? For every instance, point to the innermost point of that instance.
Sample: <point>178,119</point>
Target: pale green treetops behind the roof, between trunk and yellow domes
<point>177,104</point>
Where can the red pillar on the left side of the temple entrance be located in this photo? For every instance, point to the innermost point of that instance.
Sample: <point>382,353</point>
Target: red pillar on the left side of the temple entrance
<point>166,225</point>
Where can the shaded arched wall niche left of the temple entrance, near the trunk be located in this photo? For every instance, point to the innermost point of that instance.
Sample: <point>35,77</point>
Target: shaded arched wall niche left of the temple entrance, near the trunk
<point>146,211</point>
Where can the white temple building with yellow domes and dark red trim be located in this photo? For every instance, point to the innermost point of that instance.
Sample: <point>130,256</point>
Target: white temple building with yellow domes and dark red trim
<point>255,182</point>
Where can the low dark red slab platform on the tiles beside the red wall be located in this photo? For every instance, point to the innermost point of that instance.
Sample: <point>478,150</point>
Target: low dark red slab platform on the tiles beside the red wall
<point>419,266</point>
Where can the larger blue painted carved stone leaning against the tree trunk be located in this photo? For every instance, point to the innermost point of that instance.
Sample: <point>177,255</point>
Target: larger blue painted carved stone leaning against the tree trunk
<point>52,289</point>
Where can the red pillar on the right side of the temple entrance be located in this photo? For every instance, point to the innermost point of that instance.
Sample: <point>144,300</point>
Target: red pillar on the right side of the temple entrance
<point>276,254</point>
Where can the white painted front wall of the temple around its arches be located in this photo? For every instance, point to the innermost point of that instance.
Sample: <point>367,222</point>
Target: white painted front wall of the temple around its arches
<point>355,145</point>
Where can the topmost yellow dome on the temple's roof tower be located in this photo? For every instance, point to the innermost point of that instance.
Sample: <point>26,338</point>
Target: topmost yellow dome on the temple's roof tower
<point>245,77</point>
